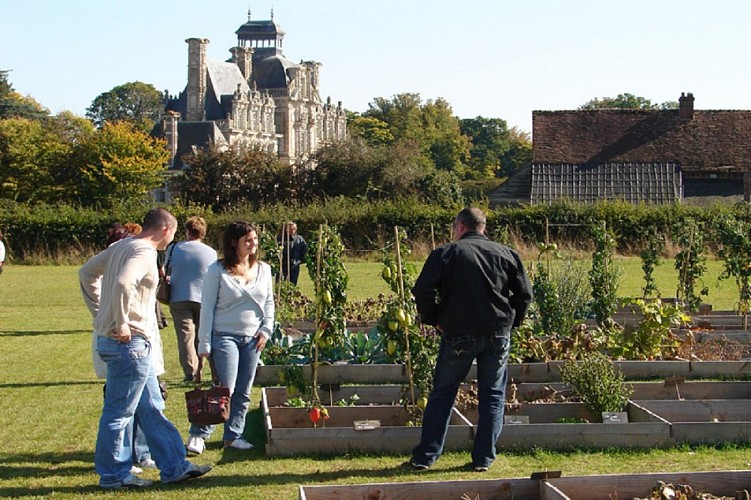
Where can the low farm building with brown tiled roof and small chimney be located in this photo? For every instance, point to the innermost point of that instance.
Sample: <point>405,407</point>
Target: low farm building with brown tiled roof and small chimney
<point>653,156</point>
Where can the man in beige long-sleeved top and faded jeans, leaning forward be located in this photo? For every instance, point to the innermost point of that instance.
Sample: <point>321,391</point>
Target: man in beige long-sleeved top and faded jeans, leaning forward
<point>119,287</point>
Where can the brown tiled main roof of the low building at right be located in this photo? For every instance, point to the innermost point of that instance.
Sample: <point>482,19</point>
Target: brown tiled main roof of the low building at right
<point>710,140</point>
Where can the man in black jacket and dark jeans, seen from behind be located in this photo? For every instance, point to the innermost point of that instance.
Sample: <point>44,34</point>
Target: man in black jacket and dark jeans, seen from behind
<point>474,291</point>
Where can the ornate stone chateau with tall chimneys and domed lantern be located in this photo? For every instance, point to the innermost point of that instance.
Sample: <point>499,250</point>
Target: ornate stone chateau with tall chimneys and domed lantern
<point>257,98</point>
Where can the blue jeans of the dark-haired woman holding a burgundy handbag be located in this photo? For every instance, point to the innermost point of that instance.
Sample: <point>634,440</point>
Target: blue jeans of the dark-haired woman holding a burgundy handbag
<point>235,360</point>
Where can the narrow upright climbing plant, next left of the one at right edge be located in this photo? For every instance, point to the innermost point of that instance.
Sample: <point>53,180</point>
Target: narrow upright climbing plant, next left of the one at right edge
<point>691,263</point>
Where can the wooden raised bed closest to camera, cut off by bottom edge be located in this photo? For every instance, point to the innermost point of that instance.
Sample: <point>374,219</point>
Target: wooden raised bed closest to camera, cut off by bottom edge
<point>722,483</point>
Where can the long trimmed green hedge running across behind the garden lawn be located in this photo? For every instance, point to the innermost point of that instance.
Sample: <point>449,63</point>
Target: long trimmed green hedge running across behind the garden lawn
<point>50,231</point>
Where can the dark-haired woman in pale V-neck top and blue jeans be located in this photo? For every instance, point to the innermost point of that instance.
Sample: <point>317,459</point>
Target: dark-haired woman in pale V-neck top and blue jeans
<point>237,318</point>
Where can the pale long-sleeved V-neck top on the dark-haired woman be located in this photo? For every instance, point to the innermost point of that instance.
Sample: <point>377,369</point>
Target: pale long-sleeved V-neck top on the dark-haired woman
<point>228,306</point>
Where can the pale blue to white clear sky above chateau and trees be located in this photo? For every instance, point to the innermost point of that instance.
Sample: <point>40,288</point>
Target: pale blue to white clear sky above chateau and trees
<point>491,58</point>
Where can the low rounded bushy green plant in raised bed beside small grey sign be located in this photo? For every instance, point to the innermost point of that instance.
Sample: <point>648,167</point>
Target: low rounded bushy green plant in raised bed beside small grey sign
<point>596,382</point>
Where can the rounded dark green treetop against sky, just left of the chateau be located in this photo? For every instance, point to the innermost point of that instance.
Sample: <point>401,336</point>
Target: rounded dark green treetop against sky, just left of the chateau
<point>136,102</point>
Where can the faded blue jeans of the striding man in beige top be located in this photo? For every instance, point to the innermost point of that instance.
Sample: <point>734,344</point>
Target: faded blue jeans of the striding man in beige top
<point>133,389</point>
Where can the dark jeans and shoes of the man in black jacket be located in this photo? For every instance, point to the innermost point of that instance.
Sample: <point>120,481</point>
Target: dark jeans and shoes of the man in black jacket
<point>455,358</point>
